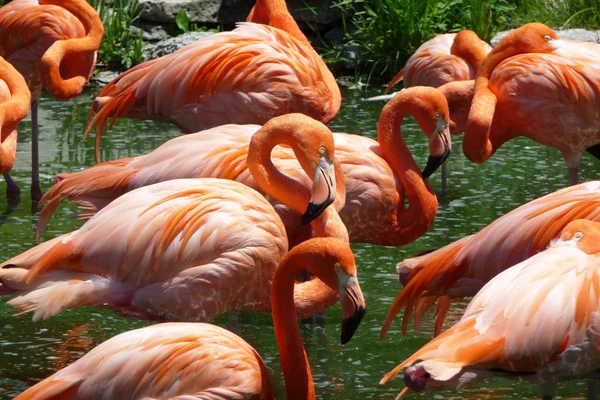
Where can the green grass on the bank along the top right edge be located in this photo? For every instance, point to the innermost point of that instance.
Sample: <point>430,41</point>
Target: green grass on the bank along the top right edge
<point>389,31</point>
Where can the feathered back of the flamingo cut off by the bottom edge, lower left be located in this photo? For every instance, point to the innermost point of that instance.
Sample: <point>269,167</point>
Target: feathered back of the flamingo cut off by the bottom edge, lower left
<point>165,361</point>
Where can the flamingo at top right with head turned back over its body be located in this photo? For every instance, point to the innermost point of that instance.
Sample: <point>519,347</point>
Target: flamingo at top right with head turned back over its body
<point>551,96</point>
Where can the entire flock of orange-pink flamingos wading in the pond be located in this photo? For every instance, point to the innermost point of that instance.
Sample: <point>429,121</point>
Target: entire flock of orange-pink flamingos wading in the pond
<point>228,217</point>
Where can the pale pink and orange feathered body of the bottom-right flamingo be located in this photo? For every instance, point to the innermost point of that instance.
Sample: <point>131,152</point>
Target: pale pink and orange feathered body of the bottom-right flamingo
<point>522,321</point>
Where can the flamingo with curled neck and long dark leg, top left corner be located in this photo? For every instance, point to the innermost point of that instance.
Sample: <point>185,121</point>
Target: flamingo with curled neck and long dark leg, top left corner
<point>53,44</point>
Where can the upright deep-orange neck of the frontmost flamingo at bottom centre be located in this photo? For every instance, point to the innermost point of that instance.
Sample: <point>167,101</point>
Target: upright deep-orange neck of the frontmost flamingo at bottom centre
<point>296,369</point>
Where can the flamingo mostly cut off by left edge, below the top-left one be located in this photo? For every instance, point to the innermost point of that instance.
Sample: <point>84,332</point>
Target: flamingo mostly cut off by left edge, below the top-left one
<point>14,106</point>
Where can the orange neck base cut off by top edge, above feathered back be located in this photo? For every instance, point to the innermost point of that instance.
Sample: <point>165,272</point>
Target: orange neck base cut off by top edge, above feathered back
<point>276,14</point>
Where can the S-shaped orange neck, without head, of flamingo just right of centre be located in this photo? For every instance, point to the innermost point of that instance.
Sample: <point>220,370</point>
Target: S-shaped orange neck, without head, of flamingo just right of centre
<point>408,223</point>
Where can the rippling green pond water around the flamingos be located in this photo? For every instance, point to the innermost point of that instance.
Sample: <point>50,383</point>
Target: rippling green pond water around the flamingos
<point>519,172</point>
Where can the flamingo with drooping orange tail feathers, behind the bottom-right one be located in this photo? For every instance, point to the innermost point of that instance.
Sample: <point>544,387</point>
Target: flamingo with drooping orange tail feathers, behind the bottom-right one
<point>463,267</point>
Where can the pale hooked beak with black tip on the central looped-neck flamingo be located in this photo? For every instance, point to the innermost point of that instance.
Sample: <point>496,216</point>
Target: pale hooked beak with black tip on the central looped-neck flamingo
<point>322,193</point>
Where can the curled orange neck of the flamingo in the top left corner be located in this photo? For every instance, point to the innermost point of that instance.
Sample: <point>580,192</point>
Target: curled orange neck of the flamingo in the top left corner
<point>82,51</point>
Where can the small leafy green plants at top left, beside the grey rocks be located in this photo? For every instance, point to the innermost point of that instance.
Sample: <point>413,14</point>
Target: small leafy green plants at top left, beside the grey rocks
<point>120,49</point>
